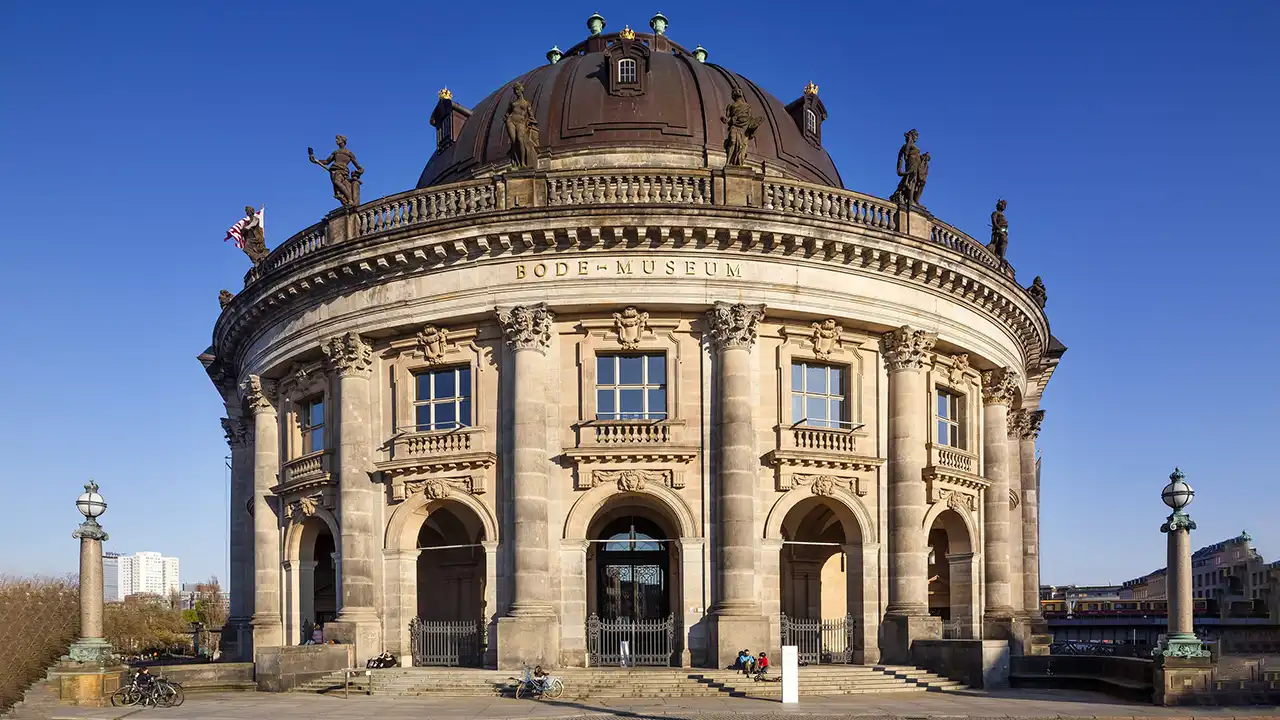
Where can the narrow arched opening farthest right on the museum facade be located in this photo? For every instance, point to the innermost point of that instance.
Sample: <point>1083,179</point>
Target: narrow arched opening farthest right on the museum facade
<point>953,576</point>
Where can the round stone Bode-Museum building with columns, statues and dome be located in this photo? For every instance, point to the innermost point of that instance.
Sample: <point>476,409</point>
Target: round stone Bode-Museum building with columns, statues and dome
<point>630,377</point>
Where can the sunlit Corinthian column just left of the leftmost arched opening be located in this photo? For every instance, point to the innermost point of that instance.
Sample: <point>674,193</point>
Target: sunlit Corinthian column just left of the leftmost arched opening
<point>260,398</point>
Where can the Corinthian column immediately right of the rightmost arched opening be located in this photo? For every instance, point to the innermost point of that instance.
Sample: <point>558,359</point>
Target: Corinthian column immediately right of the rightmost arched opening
<point>999,389</point>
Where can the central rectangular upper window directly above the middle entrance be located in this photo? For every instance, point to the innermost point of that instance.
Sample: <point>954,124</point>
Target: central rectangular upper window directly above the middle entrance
<point>632,388</point>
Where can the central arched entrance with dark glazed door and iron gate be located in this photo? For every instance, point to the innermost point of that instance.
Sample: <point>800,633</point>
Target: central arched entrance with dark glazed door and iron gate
<point>633,585</point>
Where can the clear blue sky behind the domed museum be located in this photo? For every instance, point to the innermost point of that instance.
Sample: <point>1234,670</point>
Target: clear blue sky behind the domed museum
<point>1135,143</point>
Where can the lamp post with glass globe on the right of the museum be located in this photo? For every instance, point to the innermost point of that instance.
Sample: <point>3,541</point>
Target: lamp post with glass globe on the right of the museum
<point>1181,640</point>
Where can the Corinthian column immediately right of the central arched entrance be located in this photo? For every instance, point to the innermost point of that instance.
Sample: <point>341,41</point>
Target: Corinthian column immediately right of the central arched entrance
<point>739,619</point>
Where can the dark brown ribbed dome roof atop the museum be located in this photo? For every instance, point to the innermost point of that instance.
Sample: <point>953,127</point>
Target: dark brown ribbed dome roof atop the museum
<point>676,104</point>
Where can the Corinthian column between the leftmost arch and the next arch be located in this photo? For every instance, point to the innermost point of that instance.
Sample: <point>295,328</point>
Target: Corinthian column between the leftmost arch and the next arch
<point>351,363</point>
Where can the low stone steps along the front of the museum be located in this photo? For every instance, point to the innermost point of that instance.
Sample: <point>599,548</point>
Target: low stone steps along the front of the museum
<point>644,682</point>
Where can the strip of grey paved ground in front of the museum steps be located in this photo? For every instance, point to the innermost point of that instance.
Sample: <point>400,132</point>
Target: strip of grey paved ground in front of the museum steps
<point>911,707</point>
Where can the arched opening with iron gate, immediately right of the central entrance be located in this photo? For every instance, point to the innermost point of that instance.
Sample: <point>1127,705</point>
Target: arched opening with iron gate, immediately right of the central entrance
<point>820,585</point>
